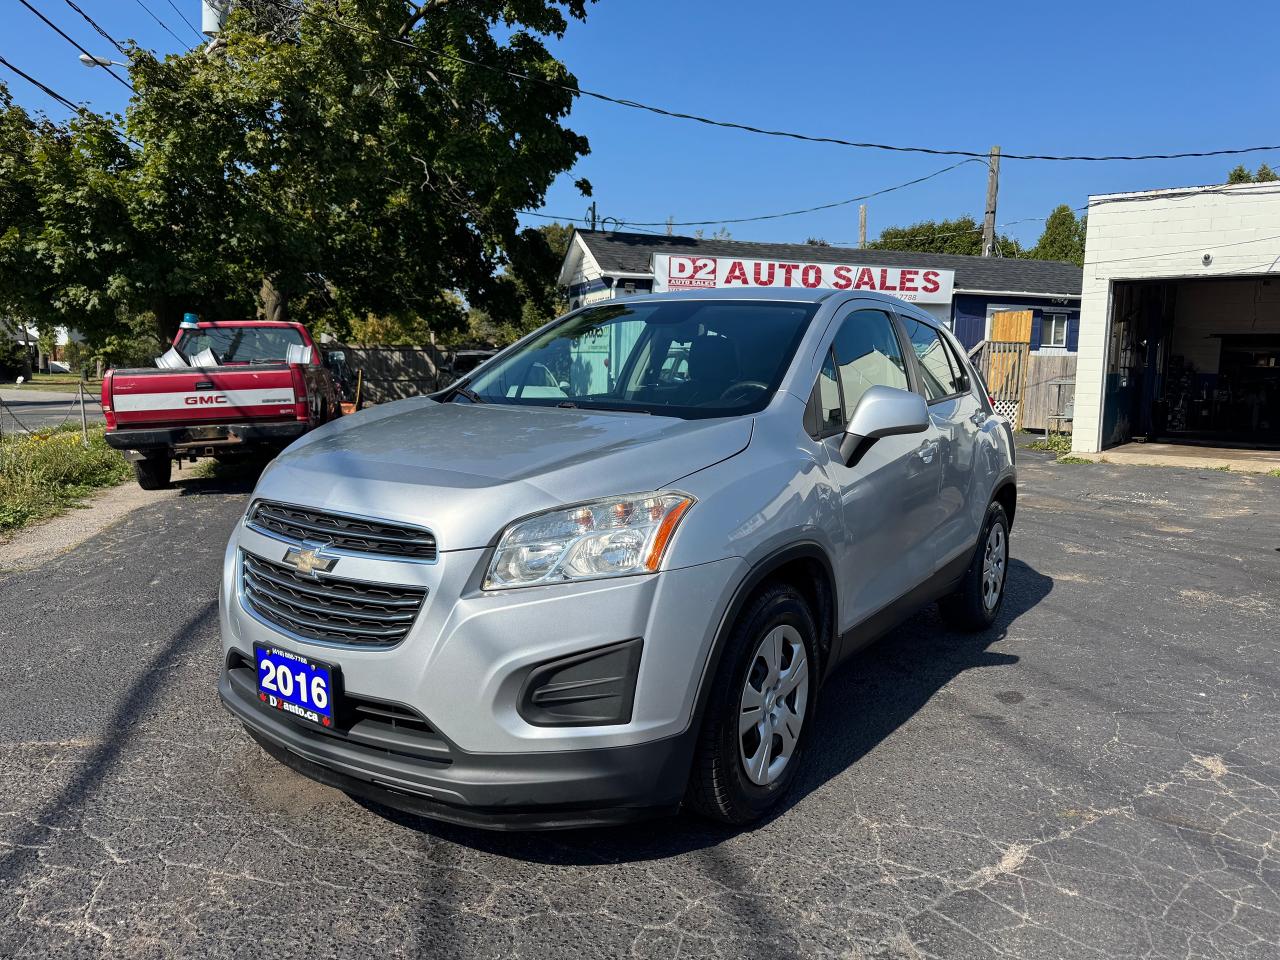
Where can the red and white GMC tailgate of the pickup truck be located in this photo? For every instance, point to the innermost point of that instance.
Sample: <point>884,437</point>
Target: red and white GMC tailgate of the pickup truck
<point>203,396</point>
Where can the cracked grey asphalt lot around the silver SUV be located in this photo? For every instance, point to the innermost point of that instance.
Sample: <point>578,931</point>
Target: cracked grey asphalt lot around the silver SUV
<point>1100,776</point>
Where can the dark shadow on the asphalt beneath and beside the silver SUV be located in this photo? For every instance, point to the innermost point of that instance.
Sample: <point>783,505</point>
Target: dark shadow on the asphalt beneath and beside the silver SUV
<point>863,703</point>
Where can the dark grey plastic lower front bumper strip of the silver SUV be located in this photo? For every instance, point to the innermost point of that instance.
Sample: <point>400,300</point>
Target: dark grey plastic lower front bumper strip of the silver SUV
<point>557,790</point>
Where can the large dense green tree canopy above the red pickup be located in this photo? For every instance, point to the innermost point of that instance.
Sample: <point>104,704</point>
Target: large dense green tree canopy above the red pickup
<point>312,166</point>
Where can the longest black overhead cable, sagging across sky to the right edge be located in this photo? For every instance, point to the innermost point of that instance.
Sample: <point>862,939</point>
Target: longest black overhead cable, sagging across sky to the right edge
<point>748,129</point>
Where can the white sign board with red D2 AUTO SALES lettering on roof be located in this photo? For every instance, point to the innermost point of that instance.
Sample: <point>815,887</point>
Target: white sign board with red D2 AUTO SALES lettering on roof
<point>691,273</point>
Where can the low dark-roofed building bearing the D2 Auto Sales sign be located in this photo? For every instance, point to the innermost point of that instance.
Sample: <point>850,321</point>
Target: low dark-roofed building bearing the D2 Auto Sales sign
<point>962,291</point>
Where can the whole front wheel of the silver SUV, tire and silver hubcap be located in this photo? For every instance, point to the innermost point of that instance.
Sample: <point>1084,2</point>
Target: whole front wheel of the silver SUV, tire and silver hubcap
<point>753,737</point>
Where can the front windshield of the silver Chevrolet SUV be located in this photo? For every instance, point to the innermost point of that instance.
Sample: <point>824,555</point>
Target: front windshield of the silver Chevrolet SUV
<point>684,359</point>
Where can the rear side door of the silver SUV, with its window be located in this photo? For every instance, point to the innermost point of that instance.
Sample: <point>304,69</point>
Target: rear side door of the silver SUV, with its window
<point>957,418</point>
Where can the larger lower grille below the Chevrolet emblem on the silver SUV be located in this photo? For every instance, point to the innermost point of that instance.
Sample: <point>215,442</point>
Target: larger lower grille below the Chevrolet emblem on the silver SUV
<point>330,609</point>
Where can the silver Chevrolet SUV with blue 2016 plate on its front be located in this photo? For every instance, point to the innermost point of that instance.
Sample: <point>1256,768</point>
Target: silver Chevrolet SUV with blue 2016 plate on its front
<point>607,574</point>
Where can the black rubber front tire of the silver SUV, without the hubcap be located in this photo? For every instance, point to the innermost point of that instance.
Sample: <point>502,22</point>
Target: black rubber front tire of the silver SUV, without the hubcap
<point>720,788</point>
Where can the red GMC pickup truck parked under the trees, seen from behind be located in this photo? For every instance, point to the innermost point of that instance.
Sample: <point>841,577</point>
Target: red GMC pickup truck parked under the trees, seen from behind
<point>234,388</point>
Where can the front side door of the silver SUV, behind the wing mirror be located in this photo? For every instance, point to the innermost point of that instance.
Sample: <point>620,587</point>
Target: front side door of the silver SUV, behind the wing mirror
<point>888,493</point>
